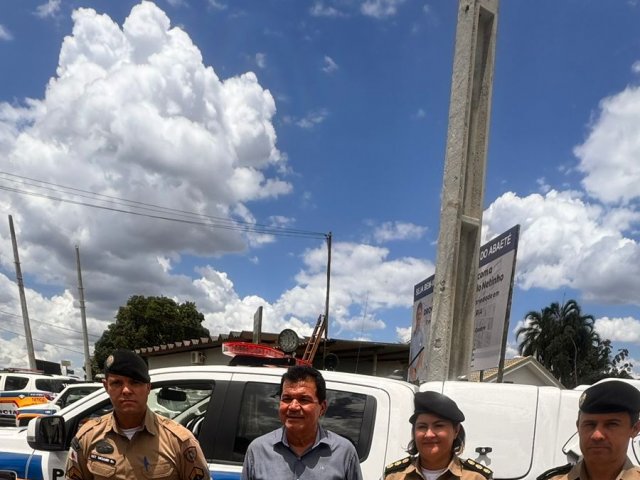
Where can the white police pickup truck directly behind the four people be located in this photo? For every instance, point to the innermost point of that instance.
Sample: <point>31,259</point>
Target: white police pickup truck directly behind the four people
<point>518,431</point>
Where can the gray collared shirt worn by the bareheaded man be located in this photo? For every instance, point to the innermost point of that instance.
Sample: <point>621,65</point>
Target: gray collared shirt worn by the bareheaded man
<point>331,457</point>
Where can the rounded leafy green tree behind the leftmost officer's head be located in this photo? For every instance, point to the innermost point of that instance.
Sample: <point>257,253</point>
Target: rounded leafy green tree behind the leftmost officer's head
<point>149,321</point>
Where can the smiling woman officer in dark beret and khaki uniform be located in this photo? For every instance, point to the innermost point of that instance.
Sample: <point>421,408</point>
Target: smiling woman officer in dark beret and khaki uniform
<point>437,440</point>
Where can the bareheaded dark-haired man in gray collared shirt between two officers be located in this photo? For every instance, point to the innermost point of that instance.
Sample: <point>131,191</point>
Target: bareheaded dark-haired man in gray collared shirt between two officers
<point>301,449</point>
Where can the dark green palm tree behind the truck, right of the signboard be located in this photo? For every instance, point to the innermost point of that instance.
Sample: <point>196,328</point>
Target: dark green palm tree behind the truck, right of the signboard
<point>564,340</point>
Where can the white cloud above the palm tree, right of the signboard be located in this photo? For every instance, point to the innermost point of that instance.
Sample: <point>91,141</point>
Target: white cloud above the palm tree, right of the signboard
<point>567,242</point>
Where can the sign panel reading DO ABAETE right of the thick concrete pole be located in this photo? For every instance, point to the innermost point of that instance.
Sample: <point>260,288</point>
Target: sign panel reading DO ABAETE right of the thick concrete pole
<point>493,297</point>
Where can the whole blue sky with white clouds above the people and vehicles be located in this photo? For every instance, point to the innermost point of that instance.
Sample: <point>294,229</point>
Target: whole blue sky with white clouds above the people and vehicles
<point>201,149</point>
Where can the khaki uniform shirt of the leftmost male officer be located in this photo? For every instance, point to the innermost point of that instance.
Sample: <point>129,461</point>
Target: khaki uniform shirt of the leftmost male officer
<point>161,449</point>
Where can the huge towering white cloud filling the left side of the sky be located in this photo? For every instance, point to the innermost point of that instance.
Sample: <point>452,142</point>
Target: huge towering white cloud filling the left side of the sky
<point>134,118</point>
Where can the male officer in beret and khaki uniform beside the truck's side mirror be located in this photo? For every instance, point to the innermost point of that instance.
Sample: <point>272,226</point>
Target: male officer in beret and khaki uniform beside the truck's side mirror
<point>132,442</point>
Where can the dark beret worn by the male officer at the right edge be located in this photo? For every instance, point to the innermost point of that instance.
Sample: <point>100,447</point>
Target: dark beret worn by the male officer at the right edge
<point>610,397</point>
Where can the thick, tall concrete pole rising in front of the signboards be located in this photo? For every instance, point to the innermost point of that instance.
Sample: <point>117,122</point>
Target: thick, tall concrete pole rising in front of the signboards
<point>463,191</point>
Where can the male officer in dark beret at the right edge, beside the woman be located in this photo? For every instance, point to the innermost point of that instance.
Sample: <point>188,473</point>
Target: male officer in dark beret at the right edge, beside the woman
<point>607,420</point>
